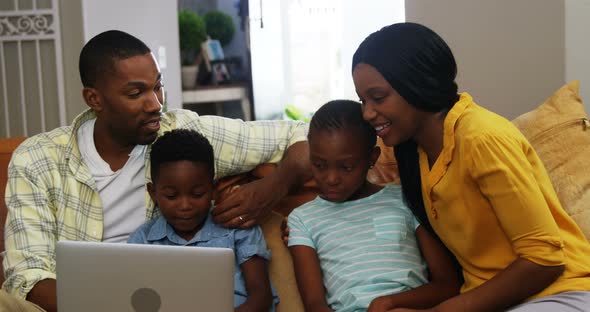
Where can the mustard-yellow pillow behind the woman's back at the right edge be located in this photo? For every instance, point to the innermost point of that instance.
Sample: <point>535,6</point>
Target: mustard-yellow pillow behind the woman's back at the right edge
<point>559,131</point>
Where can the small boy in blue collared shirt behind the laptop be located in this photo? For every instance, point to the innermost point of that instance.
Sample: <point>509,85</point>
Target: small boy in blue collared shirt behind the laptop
<point>182,170</point>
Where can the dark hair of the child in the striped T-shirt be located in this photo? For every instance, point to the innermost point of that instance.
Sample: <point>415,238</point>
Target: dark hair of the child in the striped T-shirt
<point>343,114</point>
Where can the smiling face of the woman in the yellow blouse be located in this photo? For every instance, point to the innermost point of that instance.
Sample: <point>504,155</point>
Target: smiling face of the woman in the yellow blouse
<point>394,119</point>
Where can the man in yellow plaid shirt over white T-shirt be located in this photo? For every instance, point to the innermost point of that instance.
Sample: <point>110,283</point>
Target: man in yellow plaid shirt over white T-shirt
<point>87,181</point>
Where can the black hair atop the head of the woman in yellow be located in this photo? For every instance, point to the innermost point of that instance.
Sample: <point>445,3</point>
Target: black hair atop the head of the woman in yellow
<point>415,61</point>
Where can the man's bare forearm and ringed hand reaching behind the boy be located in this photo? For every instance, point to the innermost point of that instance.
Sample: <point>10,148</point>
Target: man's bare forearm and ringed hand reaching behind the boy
<point>254,201</point>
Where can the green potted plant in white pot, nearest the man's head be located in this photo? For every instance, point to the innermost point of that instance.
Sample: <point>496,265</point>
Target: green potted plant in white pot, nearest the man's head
<point>192,33</point>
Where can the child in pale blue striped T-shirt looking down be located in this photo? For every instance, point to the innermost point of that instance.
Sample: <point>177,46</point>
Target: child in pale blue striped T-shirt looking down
<point>357,246</point>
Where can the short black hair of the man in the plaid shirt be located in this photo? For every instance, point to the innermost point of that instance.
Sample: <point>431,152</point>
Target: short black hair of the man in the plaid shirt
<point>98,55</point>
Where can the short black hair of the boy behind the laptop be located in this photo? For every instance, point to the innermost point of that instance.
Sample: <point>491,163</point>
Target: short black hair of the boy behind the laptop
<point>178,145</point>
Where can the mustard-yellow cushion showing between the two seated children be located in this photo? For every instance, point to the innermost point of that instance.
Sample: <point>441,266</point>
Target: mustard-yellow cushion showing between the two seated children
<point>280,267</point>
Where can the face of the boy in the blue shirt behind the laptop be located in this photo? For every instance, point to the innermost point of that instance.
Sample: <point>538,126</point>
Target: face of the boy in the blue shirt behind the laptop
<point>183,192</point>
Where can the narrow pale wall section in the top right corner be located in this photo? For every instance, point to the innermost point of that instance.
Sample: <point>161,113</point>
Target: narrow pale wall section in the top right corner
<point>577,46</point>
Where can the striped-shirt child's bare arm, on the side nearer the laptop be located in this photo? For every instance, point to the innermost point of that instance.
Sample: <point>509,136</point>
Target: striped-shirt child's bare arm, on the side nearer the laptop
<point>309,278</point>
